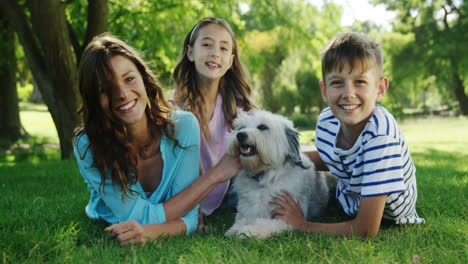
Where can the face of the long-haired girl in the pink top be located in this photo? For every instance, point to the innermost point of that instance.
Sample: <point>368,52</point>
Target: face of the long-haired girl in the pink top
<point>212,52</point>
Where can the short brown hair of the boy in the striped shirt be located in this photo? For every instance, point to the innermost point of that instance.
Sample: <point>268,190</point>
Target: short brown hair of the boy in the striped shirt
<point>351,47</point>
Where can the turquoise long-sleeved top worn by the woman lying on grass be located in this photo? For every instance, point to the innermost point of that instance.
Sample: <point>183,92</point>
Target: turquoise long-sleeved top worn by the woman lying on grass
<point>179,171</point>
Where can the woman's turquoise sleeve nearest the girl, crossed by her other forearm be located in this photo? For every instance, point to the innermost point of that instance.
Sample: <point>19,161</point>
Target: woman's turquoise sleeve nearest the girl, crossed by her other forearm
<point>187,160</point>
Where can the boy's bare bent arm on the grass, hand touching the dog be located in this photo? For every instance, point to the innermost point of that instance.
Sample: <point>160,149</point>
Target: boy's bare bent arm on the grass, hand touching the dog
<point>365,224</point>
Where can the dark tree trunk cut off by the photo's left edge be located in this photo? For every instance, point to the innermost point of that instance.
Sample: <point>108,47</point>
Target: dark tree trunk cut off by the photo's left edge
<point>10,123</point>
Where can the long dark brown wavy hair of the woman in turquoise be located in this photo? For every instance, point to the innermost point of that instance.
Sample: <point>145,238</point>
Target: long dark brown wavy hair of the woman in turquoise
<point>107,136</point>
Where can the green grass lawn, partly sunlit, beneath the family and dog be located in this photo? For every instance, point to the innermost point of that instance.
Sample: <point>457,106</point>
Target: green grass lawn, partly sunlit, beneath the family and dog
<point>42,215</point>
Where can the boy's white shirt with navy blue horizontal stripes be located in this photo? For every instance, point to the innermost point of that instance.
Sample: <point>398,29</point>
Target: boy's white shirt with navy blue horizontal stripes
<point>379,163</point>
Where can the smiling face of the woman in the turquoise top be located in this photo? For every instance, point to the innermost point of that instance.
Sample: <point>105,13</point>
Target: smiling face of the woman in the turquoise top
<point>129,101</point>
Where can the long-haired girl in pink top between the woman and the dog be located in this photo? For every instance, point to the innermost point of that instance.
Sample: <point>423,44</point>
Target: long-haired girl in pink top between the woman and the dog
<point>213,84</point>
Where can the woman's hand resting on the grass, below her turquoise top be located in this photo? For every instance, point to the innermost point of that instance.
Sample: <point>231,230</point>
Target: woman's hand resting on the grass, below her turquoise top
<point>128,233</point>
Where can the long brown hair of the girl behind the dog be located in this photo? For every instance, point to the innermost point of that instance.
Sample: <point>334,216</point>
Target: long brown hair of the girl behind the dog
<point>234,86</point>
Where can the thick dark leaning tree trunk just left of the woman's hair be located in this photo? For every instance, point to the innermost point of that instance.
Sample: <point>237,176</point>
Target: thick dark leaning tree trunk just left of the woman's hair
<point>50,25</point>
